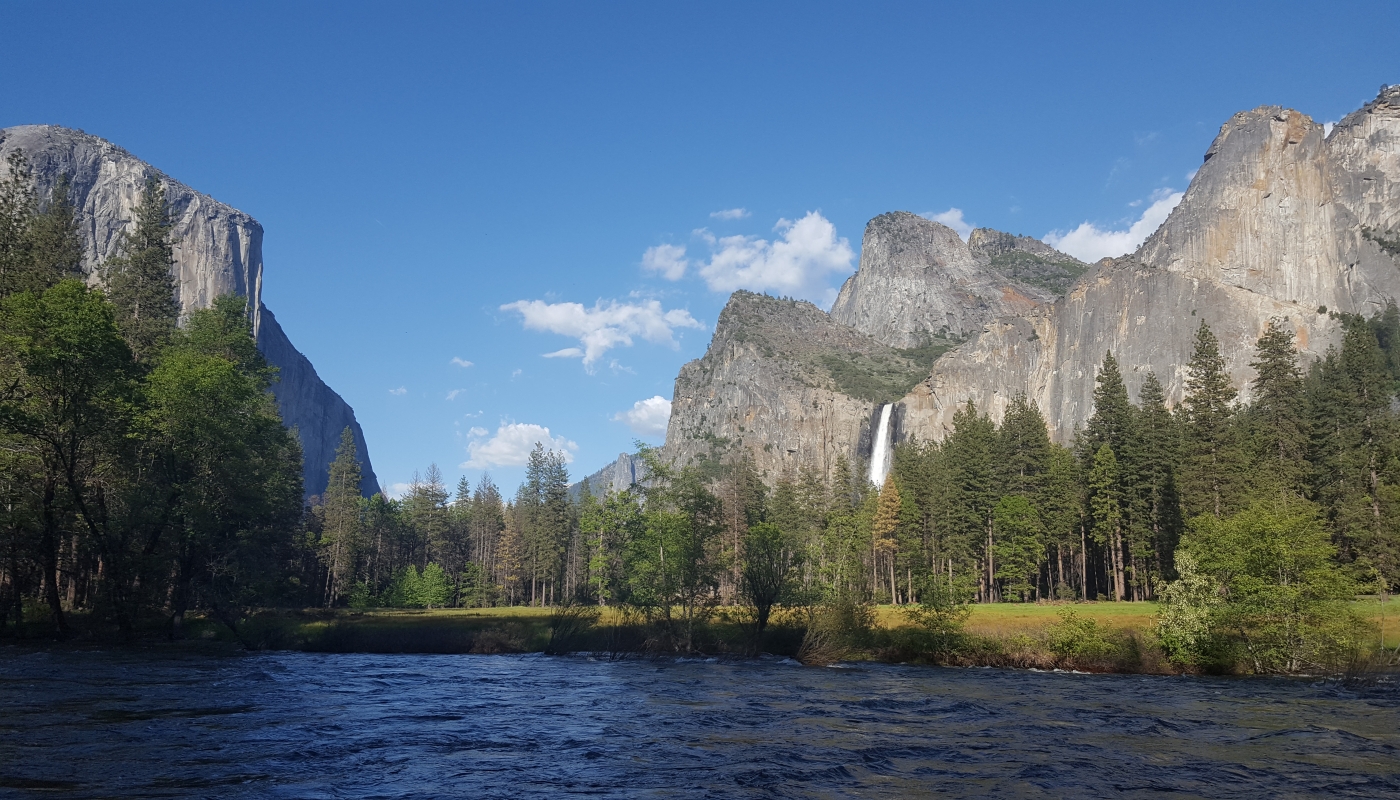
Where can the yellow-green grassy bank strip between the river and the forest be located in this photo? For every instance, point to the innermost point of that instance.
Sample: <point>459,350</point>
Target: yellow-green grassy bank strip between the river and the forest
<point>1097,637</point>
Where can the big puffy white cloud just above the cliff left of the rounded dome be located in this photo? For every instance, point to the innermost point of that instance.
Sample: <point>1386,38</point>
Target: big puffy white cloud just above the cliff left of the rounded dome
<point>797,264</point>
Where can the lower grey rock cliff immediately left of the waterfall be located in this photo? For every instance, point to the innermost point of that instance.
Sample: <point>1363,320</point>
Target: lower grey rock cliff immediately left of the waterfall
<point>786,383</point>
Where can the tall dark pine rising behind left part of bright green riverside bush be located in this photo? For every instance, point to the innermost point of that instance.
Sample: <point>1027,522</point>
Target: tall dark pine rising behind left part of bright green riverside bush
<point>1213,457</point>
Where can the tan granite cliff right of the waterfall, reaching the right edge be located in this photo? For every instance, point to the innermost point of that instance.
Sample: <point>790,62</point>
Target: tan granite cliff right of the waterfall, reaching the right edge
<point>1279,222</point>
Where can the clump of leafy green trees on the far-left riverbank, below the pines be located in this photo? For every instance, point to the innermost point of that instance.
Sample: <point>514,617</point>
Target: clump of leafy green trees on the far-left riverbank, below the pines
<point>169,485</point>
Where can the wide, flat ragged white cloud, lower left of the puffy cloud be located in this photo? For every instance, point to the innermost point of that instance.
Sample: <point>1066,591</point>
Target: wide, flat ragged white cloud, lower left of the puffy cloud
<point>603,327</point>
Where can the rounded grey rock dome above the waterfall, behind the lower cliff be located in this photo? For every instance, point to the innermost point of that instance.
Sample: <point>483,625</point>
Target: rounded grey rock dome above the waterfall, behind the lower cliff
<point>919,281</point>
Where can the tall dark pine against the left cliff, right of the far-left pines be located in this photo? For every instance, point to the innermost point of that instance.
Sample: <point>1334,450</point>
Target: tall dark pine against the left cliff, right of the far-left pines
<point>141,282</point>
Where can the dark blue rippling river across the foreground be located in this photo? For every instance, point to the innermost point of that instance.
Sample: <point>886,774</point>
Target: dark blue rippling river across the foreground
<point>296,725</point>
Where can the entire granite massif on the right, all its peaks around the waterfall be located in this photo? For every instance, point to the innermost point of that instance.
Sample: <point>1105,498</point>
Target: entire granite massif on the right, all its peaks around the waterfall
<point>1283,221</point>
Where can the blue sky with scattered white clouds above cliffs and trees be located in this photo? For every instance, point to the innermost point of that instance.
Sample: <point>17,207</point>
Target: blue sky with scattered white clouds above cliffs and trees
<point>439,183</point>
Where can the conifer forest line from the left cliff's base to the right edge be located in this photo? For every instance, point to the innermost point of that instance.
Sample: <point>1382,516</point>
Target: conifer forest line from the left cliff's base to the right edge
<point>996,509</point>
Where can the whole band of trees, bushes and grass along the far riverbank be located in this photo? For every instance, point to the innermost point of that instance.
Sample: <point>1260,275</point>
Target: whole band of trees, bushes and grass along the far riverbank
<point>145,474</point>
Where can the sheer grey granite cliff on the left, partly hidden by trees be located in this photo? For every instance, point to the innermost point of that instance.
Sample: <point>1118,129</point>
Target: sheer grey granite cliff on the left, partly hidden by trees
<point>219,251</point>
